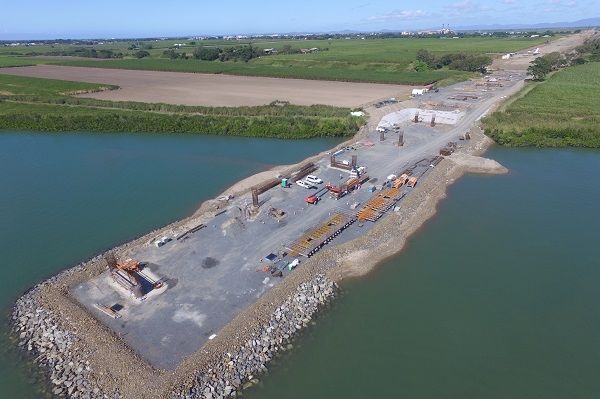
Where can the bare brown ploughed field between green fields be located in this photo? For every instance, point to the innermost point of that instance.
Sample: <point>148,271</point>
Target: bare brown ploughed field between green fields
<point>214,90</point>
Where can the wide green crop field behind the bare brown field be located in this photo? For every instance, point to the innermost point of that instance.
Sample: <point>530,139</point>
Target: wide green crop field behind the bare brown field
<point>370,60</point>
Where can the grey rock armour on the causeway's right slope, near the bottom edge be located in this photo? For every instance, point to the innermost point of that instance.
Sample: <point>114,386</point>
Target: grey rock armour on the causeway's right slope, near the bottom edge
<point>238,370</point>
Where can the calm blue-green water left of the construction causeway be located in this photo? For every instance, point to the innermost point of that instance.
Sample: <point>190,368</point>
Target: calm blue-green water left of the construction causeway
<point>65,197</point>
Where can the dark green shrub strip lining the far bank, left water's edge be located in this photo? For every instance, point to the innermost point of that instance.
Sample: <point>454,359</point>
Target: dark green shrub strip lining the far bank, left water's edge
<point>57,118</point>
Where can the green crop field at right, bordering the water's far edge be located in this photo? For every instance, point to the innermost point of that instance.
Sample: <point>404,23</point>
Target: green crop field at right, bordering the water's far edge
<point>562,111</point>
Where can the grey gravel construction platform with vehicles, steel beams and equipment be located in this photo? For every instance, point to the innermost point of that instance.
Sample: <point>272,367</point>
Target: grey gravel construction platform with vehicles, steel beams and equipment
<point>169,296</point>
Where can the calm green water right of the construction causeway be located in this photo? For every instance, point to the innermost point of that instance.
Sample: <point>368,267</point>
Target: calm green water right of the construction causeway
<point>497,297</point>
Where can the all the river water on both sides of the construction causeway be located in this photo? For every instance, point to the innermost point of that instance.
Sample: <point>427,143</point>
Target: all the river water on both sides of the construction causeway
<point>496,297</point>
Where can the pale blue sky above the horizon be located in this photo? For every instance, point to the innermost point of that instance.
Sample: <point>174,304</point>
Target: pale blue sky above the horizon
<point>50,19</point>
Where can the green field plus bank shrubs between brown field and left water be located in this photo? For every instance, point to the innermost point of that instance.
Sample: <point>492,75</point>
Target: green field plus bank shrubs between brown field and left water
<point>35,104</point>
